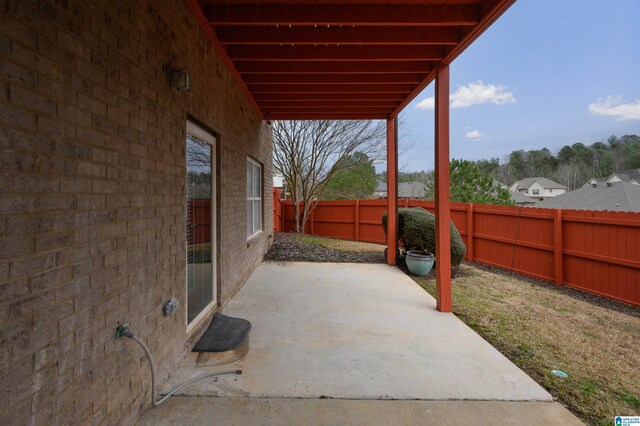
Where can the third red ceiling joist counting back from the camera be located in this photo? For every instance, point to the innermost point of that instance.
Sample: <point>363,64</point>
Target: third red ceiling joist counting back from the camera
<point>335,53</point>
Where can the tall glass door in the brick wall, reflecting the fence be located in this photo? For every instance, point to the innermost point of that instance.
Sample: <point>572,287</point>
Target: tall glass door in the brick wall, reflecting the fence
<point>201,237</point>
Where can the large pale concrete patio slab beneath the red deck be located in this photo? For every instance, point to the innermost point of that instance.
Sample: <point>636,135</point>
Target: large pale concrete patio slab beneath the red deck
<point>357,331</point>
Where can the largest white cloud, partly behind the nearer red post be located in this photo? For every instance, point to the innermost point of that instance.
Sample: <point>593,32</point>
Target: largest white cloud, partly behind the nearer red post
<point>474,93</point>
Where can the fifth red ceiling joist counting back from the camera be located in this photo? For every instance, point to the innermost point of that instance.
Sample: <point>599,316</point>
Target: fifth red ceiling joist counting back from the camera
<point>332,78</point>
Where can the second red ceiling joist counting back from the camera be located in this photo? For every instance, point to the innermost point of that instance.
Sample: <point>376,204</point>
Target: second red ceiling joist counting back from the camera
<point>337,35</point>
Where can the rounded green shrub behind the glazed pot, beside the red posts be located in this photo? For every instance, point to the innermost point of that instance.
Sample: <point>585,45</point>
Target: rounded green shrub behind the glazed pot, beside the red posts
<point>417,229</point>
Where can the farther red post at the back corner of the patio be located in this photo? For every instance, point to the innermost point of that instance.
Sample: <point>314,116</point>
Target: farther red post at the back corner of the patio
<point>392,191</point>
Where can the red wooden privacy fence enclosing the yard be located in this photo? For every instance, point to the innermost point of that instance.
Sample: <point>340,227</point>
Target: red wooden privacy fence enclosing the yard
<point>598,252</point>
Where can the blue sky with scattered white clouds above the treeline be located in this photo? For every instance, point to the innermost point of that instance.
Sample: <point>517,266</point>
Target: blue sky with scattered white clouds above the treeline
<point>547,73</point>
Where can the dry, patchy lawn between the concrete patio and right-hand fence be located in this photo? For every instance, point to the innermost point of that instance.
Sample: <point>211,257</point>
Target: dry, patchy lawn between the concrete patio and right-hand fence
<point>541,329</point>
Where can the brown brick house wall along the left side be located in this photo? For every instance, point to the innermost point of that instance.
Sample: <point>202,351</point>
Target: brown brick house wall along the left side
<point>92,199</point>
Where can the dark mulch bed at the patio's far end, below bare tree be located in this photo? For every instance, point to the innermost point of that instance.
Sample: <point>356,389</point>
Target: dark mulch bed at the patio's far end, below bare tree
<point>286,248</point>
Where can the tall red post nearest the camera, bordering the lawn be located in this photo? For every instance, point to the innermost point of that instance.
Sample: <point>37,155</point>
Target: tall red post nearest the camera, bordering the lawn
<point>443,232</point>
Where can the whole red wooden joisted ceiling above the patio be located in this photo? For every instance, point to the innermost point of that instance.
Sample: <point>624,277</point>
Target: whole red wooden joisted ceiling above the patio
<point>349,59</point>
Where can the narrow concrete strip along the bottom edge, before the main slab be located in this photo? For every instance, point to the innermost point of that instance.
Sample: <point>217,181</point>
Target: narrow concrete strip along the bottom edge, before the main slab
<point>186,411</point>
